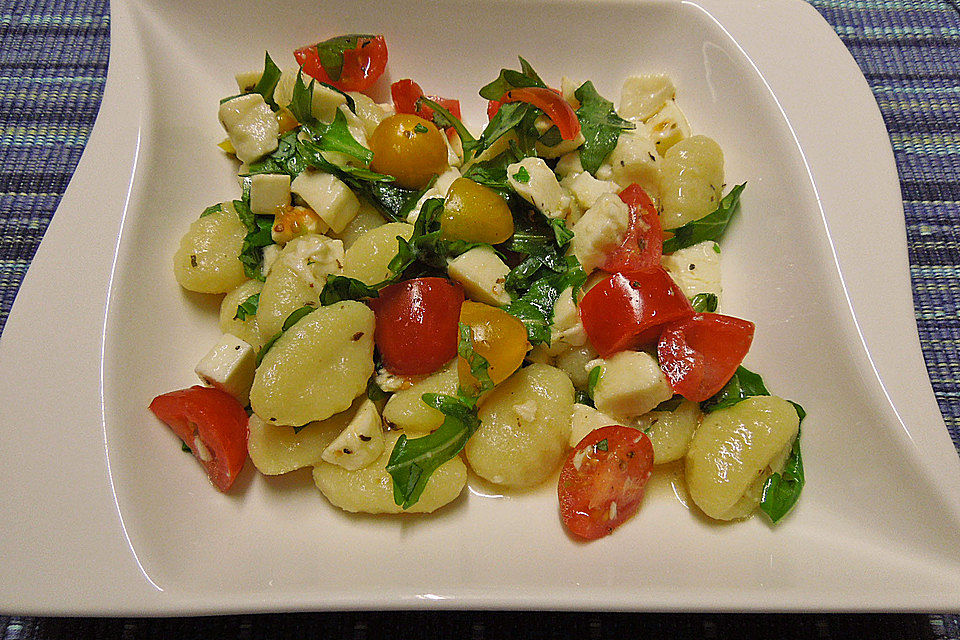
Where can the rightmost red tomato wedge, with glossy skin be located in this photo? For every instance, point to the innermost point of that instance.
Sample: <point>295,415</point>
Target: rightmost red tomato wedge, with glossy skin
<point>700,354</point>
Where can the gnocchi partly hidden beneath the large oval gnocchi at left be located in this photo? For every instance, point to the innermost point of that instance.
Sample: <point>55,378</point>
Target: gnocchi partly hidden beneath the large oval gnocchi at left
<point>276,449</point>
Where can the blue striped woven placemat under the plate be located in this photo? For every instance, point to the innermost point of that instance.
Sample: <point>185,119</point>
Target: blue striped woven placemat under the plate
<point>53,62</point>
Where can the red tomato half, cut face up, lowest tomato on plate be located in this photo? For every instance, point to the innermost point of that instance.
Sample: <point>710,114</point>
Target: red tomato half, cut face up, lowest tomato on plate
<point>602,482</point>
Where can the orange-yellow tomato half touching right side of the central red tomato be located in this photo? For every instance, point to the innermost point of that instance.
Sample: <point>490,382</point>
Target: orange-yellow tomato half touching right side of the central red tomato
<point>498,337</point>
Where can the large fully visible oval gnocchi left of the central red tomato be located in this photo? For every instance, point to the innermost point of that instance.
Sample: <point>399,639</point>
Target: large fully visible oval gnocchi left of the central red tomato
<point>317,367</point>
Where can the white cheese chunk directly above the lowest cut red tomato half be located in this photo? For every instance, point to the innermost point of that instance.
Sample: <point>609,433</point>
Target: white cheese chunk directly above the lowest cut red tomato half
<point>631,383</point>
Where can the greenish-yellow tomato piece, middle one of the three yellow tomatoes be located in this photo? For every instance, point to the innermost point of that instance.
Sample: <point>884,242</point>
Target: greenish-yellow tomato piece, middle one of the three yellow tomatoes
<point>475,213</point>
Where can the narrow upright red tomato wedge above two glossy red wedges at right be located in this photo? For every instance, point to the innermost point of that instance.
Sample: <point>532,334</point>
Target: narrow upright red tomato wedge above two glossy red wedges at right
<point>642,247</point>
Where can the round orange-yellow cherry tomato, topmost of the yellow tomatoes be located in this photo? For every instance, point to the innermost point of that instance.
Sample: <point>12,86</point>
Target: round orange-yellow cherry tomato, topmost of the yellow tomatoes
<point>409,148</point>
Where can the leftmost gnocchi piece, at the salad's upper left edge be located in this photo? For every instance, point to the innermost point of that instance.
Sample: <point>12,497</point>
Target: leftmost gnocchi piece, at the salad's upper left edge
<point>207,260</point>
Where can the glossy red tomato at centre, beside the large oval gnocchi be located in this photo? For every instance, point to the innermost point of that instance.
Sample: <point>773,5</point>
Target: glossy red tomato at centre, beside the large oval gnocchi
<point>417,324</point>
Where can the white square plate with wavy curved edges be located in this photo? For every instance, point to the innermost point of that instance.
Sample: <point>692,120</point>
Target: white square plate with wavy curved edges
<point>101,513</point>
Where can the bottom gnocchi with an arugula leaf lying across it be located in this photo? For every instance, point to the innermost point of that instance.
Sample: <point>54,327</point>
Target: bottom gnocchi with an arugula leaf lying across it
<point>370,489</point>
